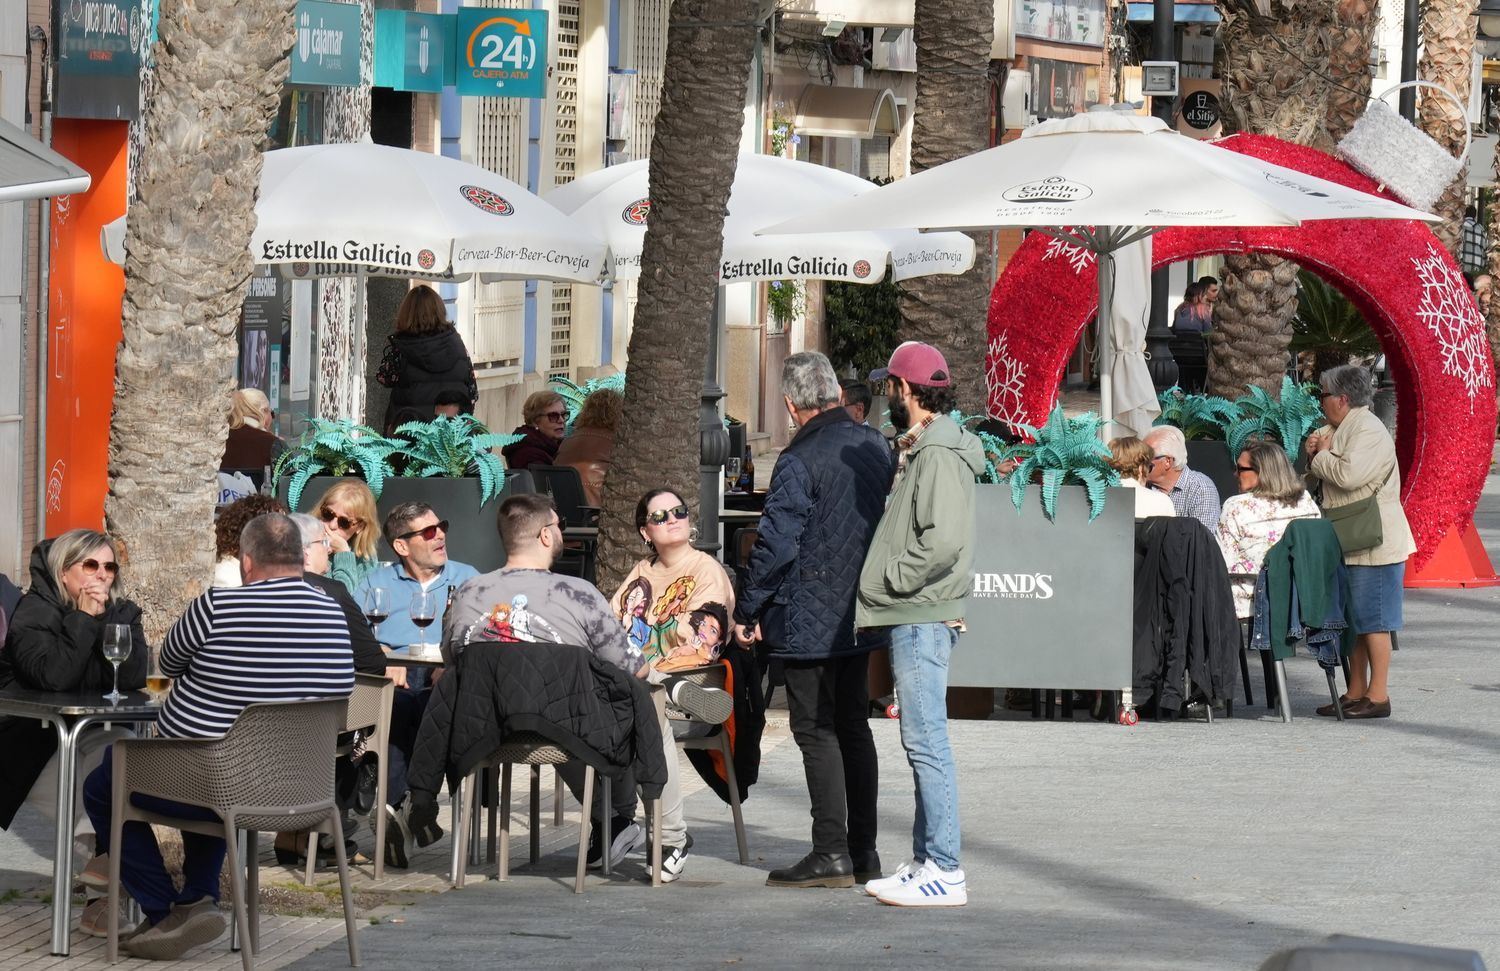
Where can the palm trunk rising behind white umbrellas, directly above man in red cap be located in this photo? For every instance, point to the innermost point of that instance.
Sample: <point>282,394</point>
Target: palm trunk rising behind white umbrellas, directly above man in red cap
<point>953,121</point>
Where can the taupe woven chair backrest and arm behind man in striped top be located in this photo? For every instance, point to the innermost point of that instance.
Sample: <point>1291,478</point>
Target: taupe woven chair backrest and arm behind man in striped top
<point>275,756</point>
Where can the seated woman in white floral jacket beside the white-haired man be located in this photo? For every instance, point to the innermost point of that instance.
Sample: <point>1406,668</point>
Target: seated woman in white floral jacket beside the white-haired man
<point>1253,523</point>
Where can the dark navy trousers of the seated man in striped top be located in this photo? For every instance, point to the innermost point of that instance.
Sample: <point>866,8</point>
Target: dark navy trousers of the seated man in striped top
<point>142,870</point>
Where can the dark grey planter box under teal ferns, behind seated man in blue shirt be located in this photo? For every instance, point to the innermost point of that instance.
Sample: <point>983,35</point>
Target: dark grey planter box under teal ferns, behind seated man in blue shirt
<point>473,538</point>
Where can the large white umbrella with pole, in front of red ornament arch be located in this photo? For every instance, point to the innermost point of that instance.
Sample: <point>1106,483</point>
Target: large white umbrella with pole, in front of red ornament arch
<point>1103,181</point>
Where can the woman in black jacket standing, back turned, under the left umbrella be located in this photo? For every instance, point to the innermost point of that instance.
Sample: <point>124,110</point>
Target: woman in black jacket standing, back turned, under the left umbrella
<point>425,356</point>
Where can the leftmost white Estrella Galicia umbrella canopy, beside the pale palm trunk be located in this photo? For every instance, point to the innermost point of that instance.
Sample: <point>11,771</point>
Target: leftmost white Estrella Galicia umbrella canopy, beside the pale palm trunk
<point>364,208</point>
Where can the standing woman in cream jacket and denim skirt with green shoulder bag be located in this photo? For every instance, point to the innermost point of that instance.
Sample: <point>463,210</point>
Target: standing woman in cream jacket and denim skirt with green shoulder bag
<point>1354,458</point>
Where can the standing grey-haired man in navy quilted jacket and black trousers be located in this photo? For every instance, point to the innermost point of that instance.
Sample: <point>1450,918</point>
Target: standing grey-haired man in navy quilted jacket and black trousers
<point>826,499</point>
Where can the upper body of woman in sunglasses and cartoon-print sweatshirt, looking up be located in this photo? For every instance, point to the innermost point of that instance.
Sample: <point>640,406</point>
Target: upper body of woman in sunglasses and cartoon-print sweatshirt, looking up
<point>677,601</point>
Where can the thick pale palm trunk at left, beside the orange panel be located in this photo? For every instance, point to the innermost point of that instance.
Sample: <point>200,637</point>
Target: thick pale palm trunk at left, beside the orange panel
<point>220,70</point>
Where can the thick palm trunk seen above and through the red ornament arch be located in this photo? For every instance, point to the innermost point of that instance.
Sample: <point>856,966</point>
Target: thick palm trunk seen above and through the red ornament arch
<point>1276,59</point>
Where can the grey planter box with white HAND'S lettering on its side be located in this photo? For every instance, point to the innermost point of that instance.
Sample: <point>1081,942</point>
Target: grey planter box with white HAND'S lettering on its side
<point>1049,603</point>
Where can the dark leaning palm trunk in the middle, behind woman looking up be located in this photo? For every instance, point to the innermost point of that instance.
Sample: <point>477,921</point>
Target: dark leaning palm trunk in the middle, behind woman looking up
<point>694,149</point>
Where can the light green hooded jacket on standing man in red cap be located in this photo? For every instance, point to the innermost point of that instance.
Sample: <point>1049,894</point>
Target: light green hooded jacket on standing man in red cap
<point>917,571</point>
